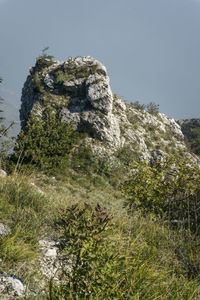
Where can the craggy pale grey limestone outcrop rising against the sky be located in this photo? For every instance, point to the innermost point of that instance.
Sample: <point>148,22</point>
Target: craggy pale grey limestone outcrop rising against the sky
<point>80,88</point>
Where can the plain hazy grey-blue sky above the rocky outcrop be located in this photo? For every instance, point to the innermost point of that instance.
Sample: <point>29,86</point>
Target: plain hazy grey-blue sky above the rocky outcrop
<point>151,48</point>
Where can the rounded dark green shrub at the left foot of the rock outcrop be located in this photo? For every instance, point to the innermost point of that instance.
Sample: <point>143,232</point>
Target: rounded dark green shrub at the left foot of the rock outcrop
<point>45,142</point>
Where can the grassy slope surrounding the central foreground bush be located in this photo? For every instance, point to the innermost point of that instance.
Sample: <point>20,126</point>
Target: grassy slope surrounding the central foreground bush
<point>151,260</point>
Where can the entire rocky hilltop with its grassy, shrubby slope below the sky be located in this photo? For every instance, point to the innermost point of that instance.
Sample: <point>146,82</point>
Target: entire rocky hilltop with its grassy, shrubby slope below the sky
<point>101,200</point>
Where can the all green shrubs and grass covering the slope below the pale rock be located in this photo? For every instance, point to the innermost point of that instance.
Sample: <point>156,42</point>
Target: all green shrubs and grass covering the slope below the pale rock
<point>125,229</point>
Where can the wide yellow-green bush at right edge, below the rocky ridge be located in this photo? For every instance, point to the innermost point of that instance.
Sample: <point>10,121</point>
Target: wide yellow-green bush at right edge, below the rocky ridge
<point>169,189</point>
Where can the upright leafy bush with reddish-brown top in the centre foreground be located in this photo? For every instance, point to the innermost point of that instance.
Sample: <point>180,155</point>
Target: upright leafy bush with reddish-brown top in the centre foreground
<point>87,253</point>
